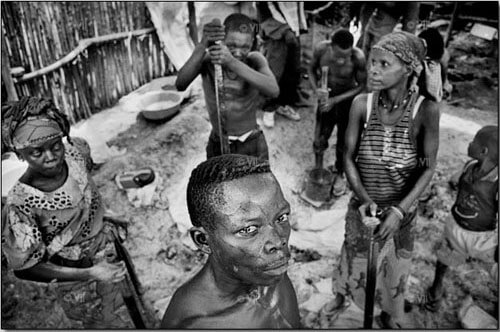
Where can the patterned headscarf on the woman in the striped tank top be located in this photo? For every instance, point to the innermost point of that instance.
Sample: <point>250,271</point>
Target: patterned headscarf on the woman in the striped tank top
<point>405,46</point>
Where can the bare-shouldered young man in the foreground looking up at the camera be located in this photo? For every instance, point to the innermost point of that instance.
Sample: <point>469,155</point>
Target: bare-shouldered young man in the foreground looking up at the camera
<point>241,220</point>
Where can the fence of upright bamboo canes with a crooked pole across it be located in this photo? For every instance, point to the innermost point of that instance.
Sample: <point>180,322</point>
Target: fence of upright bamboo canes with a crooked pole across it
<point>82,55</point>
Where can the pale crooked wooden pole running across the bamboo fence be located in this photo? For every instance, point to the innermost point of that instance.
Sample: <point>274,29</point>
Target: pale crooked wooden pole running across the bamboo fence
<point>82,45</point>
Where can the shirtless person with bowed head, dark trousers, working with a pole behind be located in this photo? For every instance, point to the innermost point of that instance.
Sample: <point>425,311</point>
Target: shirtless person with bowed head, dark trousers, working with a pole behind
<point>346,79</point>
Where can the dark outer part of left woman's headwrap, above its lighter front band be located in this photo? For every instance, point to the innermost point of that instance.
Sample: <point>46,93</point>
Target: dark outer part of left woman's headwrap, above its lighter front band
<point>16,113</point>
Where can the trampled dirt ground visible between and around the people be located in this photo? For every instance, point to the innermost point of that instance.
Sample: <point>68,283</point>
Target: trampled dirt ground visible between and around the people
<point>164,258</point>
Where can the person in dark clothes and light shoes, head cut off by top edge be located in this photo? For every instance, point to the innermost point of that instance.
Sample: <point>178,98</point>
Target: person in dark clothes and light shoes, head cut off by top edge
<point>281,48</point>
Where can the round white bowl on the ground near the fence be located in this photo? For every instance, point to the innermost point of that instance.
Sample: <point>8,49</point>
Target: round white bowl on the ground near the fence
<point>160,104</point>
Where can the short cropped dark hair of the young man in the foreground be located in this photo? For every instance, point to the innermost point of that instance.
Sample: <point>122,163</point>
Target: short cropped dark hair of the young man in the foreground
<point>204,191</point>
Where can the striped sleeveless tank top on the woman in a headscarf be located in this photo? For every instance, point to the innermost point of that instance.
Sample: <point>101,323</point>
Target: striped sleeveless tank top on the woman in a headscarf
<point>387,158</point>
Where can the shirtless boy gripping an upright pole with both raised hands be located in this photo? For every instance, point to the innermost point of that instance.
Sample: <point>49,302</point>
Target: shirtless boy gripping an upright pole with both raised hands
<point>246,75</point>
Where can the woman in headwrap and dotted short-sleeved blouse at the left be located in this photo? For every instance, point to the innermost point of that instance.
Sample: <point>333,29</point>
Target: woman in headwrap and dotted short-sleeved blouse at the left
<point>53,227</point>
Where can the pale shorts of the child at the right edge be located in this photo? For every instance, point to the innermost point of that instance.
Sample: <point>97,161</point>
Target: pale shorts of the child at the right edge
<point>459,244</point>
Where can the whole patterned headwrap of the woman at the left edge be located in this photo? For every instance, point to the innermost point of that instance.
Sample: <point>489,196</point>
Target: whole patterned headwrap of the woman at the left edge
<point>31,122</point>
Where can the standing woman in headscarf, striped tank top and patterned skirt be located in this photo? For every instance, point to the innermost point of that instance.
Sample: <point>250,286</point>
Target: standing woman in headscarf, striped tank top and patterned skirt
<point>391,146</point>
